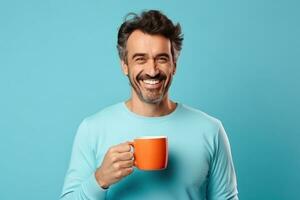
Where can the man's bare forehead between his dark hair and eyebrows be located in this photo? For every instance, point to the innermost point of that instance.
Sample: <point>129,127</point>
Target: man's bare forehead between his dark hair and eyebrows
<point>139,42</point>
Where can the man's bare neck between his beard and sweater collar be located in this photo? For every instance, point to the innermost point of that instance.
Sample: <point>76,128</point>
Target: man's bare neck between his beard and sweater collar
<point>166,106</point>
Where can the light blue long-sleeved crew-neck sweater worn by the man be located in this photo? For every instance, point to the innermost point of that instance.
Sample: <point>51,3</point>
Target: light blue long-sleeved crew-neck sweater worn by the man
<point>199,167</point>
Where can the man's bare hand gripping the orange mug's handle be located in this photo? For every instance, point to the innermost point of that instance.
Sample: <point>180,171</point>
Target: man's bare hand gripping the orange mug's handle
<point>117,164</point>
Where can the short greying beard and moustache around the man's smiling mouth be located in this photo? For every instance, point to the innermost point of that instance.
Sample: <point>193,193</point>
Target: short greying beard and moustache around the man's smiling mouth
<point>150,95</point>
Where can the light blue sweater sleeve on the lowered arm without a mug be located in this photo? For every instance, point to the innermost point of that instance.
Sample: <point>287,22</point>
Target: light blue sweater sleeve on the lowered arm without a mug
<point>222,182</point>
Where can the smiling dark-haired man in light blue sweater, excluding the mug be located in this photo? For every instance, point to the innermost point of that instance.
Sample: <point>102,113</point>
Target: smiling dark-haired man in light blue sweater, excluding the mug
<point>200,164</point>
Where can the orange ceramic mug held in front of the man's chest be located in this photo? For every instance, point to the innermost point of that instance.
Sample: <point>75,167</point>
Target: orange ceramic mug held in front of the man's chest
<point>150,152</point>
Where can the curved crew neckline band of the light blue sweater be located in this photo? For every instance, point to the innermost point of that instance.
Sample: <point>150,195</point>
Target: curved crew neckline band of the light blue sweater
<point>159,118</point>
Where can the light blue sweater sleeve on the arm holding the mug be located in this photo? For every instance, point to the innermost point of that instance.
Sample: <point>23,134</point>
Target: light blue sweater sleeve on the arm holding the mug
<point>80,182</point>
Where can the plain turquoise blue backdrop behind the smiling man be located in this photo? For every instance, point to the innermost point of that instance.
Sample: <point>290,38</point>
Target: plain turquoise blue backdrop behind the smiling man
<point>59,64</point>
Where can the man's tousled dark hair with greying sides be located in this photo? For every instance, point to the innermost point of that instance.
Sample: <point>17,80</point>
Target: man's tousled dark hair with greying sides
<point>152,22</point>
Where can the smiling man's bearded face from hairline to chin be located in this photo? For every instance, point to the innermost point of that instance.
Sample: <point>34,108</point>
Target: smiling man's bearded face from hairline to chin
<point>150,67</point>
